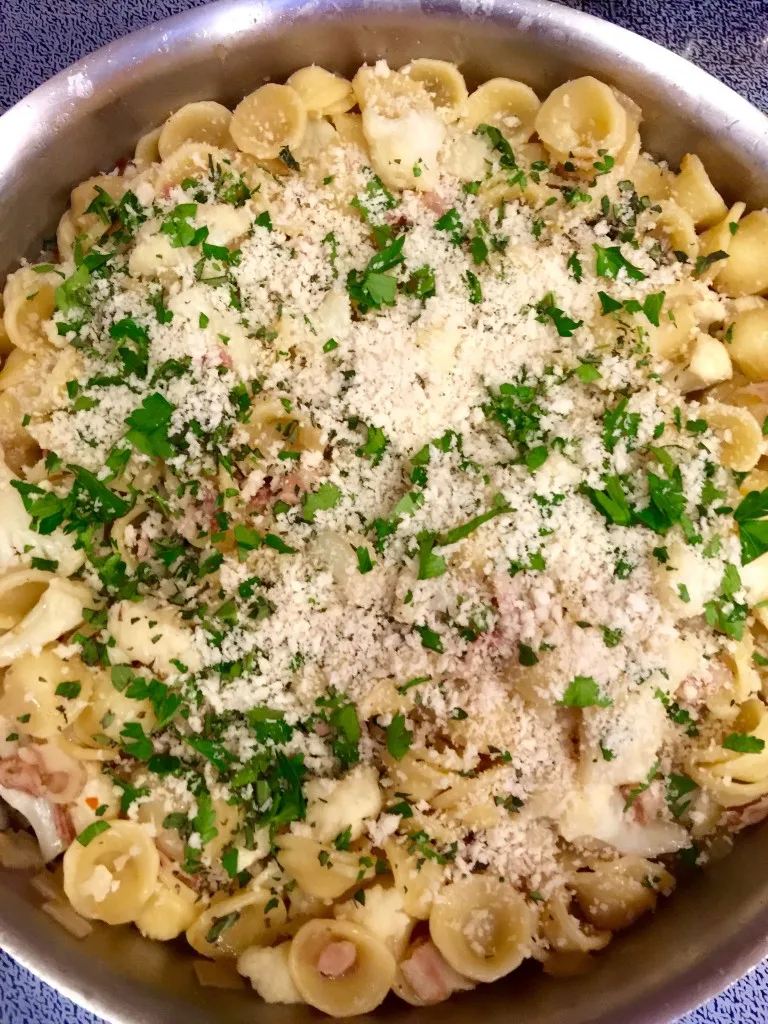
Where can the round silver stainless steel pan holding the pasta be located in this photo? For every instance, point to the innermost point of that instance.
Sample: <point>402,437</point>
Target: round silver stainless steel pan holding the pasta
<point>716,927</point>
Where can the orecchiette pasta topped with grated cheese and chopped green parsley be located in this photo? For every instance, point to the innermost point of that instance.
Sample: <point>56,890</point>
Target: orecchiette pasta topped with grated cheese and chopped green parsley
<point>385,535</point>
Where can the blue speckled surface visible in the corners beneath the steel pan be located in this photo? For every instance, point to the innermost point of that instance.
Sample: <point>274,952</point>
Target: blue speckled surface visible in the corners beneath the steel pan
<point>38,38</point>
